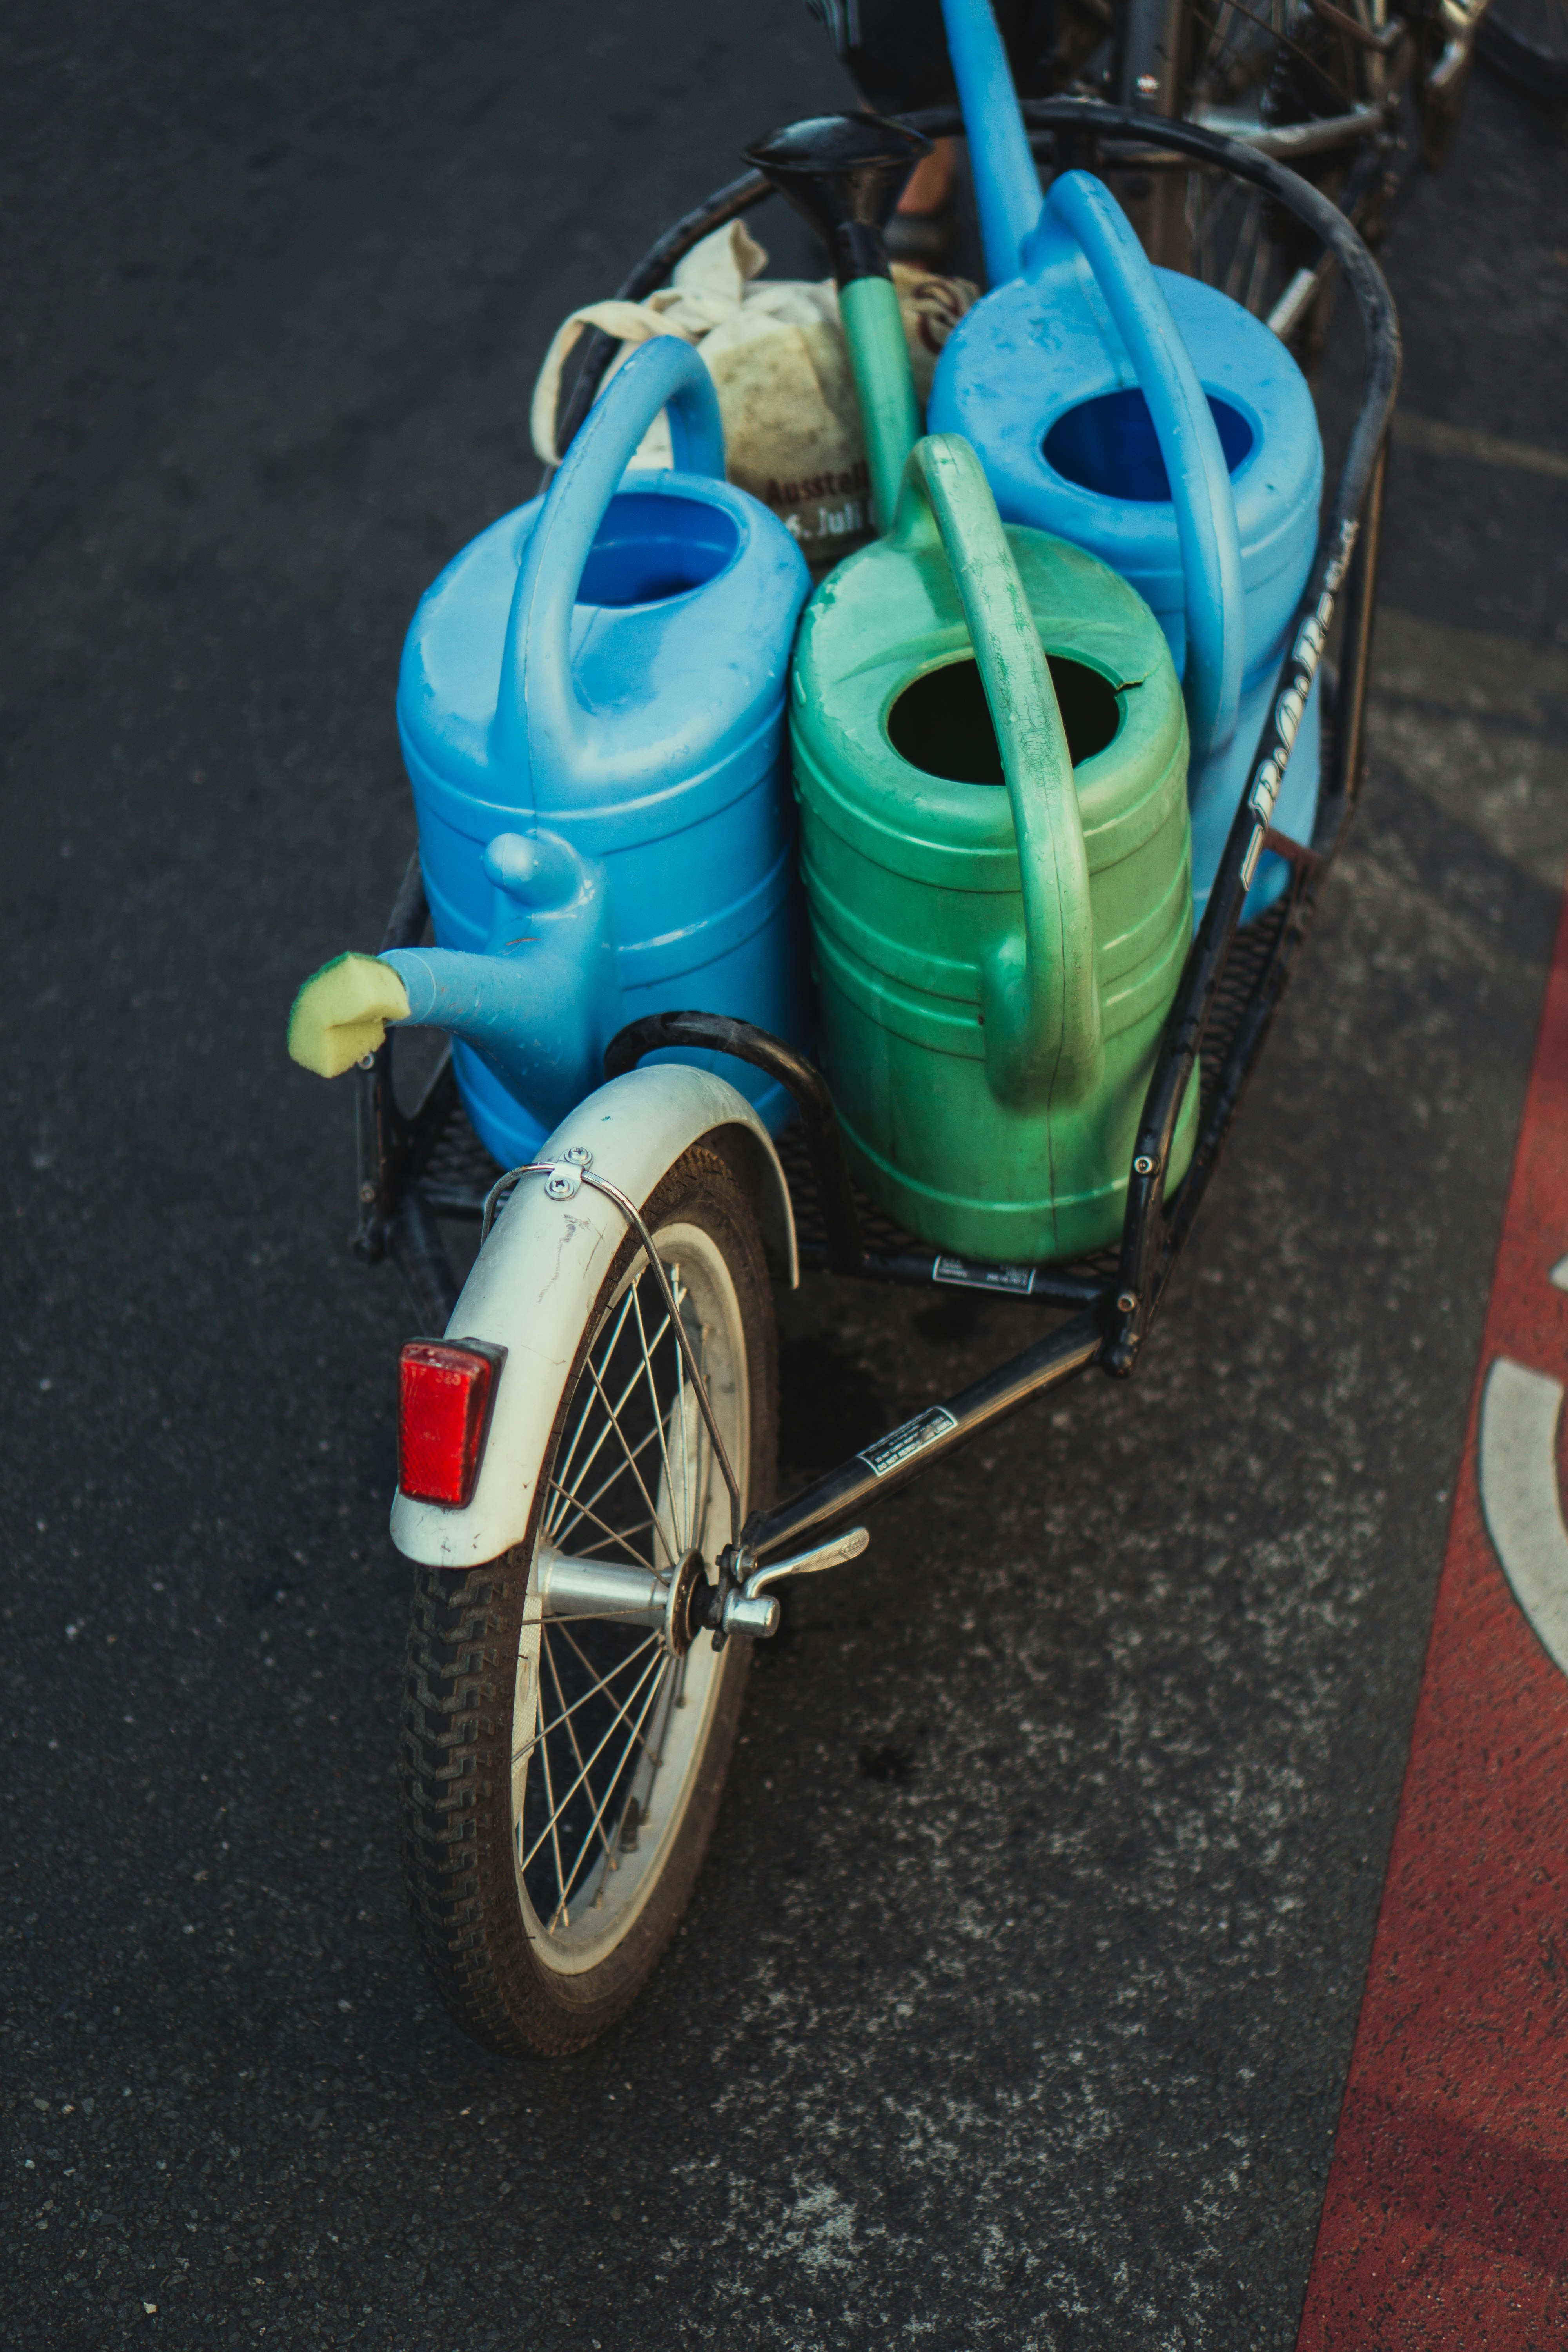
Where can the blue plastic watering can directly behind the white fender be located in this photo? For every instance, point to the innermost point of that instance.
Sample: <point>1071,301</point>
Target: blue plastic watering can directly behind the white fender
<point>591,714</point>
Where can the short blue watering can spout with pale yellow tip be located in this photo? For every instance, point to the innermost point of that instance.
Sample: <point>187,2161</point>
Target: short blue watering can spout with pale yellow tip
<point>540,1003</point>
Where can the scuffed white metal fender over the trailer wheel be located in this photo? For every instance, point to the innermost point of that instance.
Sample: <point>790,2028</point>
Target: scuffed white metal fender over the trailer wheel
<point>537,1278</point>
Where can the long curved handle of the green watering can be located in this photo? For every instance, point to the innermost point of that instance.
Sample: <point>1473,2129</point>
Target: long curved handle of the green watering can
<point>1043,1003</point>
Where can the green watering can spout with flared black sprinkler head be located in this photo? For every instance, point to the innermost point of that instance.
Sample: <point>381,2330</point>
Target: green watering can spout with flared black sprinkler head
<point>845,175</point>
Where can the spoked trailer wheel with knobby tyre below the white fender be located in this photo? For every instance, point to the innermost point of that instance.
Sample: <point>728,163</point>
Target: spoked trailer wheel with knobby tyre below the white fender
<point>563,1760</point>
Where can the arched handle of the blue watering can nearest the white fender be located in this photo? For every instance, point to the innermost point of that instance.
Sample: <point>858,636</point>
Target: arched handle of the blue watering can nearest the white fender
<point>537,711</point>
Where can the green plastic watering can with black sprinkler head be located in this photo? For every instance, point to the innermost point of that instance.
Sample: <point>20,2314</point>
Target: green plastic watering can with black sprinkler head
<point>991,761</point>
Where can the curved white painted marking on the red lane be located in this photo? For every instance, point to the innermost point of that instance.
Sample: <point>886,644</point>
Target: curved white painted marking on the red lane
<point>1520,1497</point>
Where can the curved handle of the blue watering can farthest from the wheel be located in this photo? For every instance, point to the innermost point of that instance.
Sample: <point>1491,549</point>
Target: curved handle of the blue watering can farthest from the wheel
<point>1191,446</point>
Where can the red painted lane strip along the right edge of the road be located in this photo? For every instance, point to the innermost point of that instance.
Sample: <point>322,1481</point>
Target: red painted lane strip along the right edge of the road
<point>1447,2212</point>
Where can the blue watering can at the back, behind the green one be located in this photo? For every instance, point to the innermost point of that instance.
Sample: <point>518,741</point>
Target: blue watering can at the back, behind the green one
<point>1148,420</point>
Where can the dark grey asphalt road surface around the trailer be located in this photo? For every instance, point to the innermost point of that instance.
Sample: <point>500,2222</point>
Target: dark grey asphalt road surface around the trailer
<point>1019,1991</point>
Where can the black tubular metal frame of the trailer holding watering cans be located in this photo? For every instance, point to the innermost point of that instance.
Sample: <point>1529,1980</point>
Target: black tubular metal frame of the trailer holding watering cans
<point>427,1165</point>
